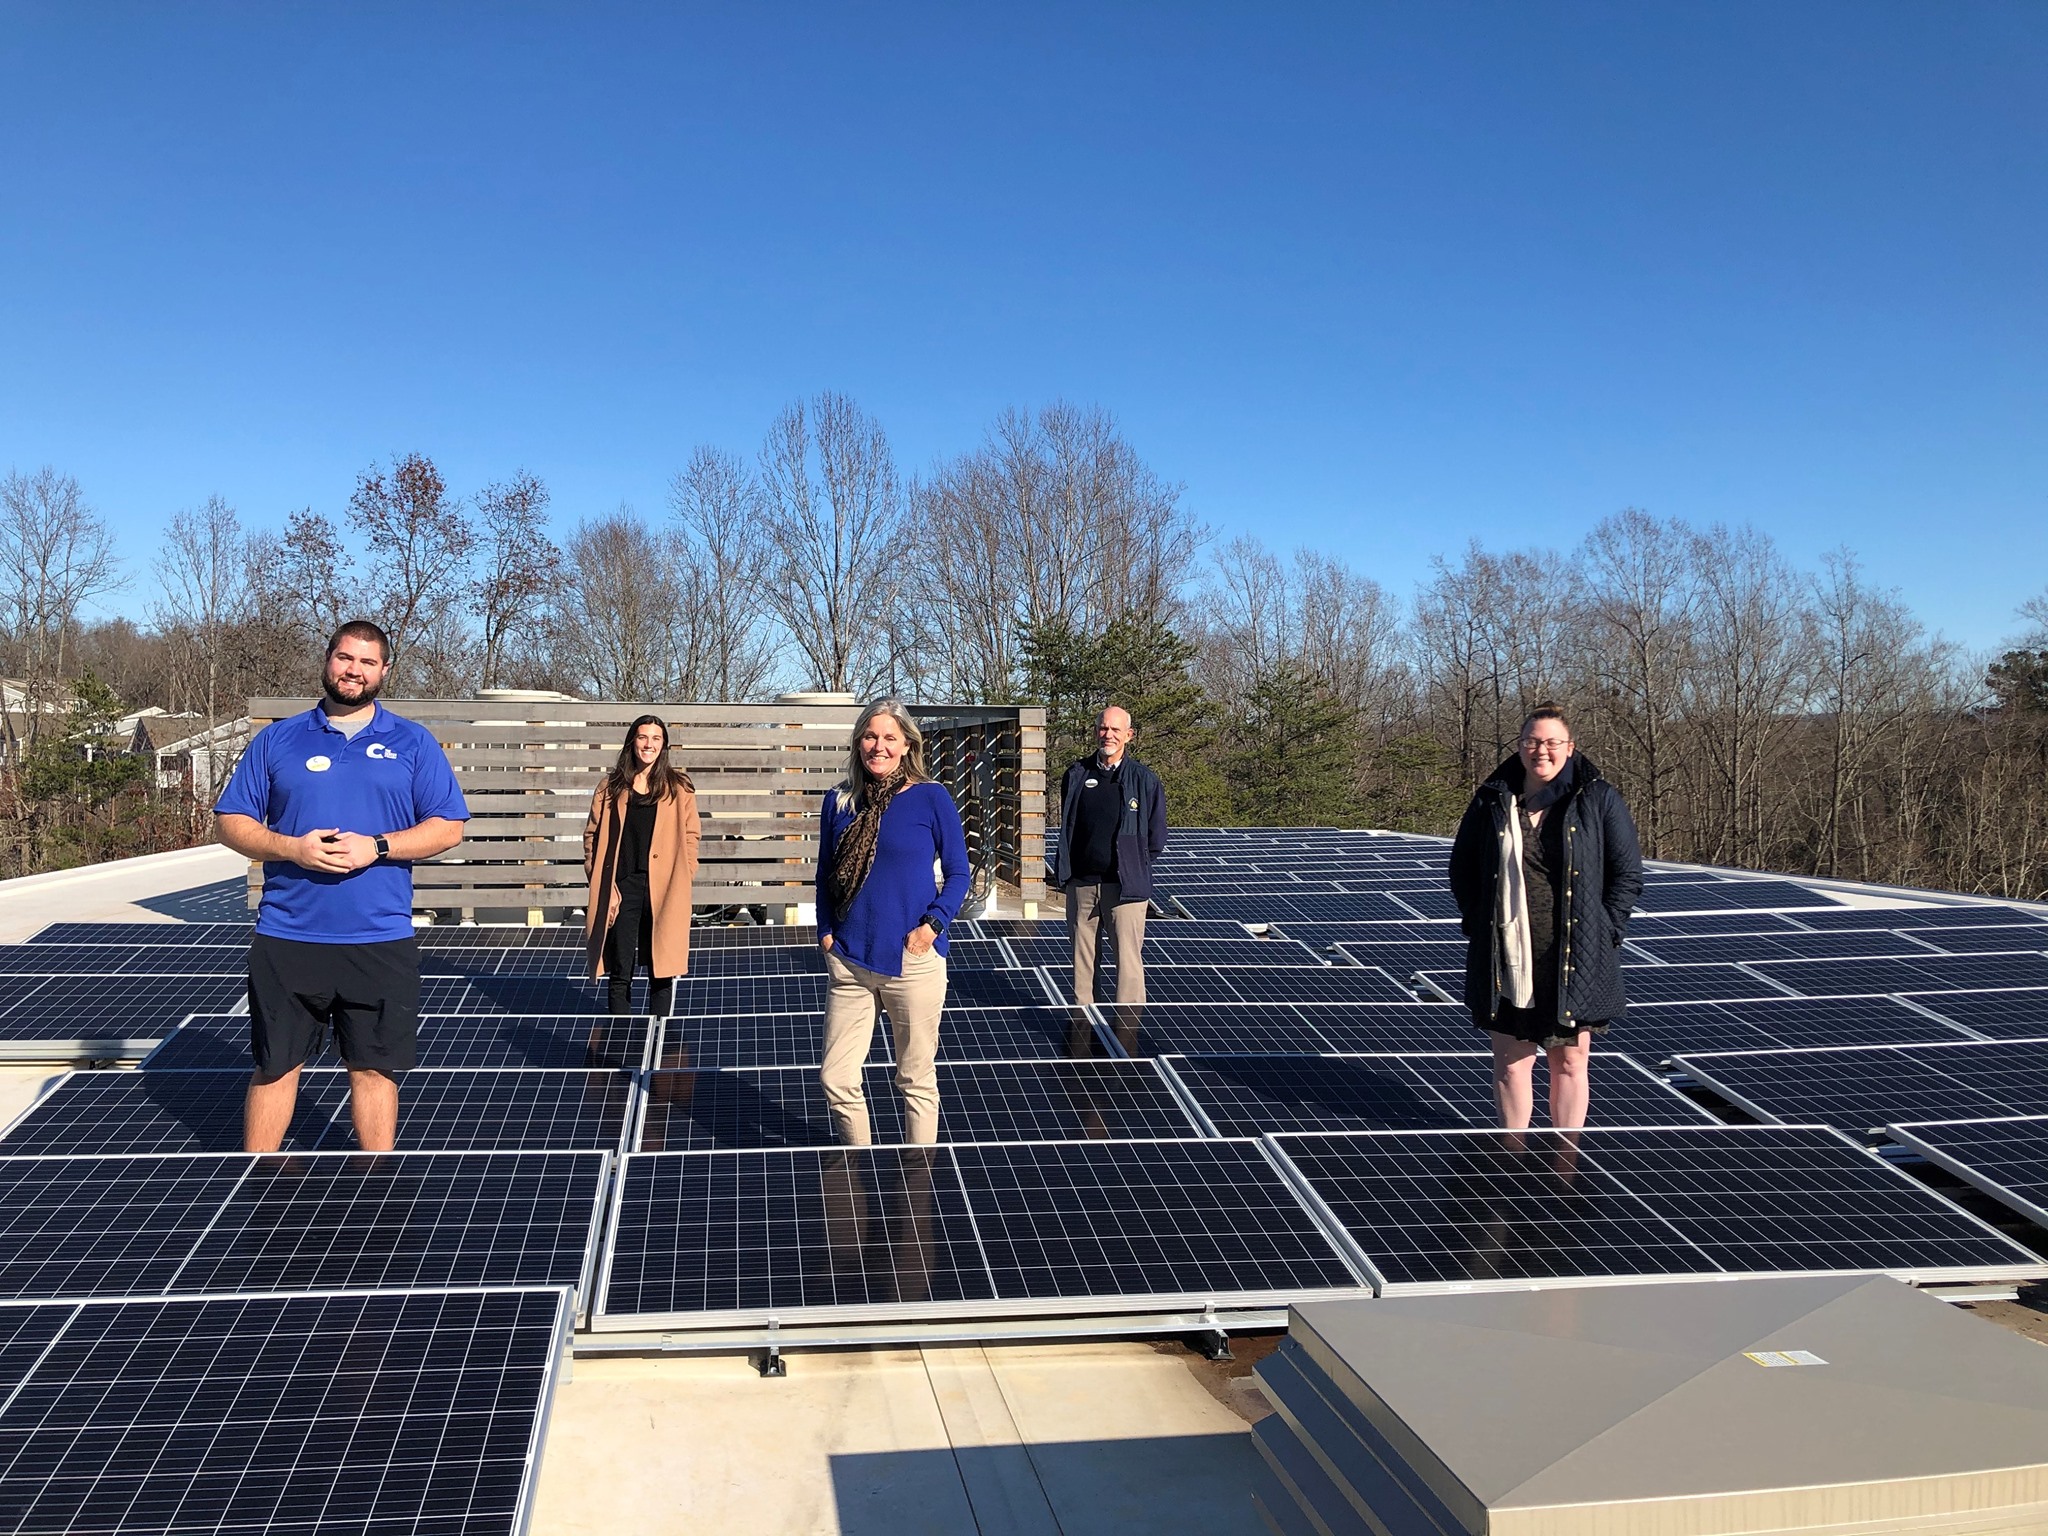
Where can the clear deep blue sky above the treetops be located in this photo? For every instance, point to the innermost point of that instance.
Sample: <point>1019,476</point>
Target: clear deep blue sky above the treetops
<point>1373,278</point>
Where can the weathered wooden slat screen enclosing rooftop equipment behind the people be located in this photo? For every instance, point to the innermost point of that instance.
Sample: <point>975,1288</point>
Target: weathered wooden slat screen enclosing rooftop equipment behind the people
<point>529,769</point>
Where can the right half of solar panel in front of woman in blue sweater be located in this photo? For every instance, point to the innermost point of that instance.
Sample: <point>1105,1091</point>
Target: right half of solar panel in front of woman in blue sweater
<point>1207,1220</point>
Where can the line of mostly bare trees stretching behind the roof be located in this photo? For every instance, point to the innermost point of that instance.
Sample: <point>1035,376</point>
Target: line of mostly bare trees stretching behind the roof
<point>1756,714</point>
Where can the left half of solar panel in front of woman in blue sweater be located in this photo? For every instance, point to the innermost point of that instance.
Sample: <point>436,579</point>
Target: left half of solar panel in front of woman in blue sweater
<point>759,1234</point>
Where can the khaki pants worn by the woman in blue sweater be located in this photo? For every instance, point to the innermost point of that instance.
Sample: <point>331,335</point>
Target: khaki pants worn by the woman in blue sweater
<point>914,1002</point>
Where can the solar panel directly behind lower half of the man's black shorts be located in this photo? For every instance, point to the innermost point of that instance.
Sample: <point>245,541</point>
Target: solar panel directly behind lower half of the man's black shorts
<point>222,1041</point>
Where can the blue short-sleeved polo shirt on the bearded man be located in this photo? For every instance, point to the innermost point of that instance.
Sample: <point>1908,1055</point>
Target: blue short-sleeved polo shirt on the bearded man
<point>302,773</point>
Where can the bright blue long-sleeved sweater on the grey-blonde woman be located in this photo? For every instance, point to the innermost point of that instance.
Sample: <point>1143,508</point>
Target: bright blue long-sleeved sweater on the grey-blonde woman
<point>919,826</point>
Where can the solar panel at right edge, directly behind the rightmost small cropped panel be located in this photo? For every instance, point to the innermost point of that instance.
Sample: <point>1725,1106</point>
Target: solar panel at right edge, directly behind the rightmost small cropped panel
<point>1871,1086</point>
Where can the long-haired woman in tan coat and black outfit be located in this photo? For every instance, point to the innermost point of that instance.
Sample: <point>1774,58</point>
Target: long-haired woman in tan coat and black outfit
<point>640,853</point>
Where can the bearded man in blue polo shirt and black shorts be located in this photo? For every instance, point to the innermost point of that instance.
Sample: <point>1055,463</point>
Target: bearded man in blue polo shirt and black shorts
<point>337,804</point>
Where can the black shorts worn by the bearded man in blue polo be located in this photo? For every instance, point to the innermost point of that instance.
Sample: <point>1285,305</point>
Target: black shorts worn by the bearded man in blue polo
<point>368,992</point>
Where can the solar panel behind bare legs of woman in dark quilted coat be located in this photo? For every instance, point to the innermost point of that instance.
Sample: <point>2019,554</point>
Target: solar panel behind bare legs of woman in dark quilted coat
<point>1246,1097</point>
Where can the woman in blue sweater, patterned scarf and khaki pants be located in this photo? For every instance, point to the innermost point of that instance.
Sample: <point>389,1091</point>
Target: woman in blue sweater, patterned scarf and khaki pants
<point>884,916</point>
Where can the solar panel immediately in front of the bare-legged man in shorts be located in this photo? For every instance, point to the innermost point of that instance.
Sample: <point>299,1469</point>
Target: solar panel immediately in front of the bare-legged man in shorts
<point>302,1222</point>
